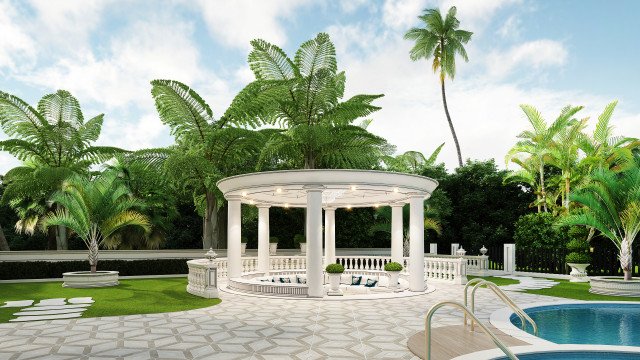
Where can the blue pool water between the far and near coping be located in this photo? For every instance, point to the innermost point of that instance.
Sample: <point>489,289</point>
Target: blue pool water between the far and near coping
<point>589,323</point>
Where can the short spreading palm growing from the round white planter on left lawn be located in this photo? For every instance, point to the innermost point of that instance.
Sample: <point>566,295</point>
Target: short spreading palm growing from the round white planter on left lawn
<point>96,210</point>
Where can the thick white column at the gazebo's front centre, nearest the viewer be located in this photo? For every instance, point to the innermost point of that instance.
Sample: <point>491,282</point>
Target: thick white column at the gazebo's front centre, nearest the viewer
<point>314,241</point>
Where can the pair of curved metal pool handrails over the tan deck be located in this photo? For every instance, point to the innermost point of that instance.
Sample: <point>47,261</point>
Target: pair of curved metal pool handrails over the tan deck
<point>524,318</point>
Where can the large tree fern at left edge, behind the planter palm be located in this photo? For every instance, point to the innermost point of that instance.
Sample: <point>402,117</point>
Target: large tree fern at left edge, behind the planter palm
<point>53,142</point>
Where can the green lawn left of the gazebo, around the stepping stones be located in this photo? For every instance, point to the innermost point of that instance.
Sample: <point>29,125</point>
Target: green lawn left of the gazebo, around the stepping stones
<point>139,296</point>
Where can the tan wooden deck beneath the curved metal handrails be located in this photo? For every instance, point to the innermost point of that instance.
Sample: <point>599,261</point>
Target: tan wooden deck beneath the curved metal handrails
<point>447,342</point>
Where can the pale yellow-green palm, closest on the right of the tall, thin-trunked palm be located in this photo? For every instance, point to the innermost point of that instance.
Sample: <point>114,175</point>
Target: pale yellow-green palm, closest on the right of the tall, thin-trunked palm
<point>538,141</point>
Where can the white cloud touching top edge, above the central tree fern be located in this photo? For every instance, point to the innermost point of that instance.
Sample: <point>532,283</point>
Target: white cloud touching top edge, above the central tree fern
<point>237,22</point>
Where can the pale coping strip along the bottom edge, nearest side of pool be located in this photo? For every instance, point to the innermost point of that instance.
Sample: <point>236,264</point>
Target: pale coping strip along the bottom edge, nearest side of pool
<point>551,347</point>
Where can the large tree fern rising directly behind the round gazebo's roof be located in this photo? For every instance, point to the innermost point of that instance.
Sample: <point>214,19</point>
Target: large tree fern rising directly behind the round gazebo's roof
<point>304,97</point>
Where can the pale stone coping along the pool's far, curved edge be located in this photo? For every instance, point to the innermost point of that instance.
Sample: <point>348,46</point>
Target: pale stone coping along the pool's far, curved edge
<point>501,319</point>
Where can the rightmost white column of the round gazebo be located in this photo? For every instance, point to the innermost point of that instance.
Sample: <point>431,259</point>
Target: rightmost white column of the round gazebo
<point>416,243</point>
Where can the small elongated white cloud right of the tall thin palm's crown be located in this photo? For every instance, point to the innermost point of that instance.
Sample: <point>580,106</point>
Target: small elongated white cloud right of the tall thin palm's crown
<point>534,55</point>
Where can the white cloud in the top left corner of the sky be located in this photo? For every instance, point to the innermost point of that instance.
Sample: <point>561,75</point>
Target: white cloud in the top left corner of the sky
<point>16,46</point>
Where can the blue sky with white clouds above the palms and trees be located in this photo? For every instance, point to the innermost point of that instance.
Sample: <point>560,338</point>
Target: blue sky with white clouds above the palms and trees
<point>545,53</point>
